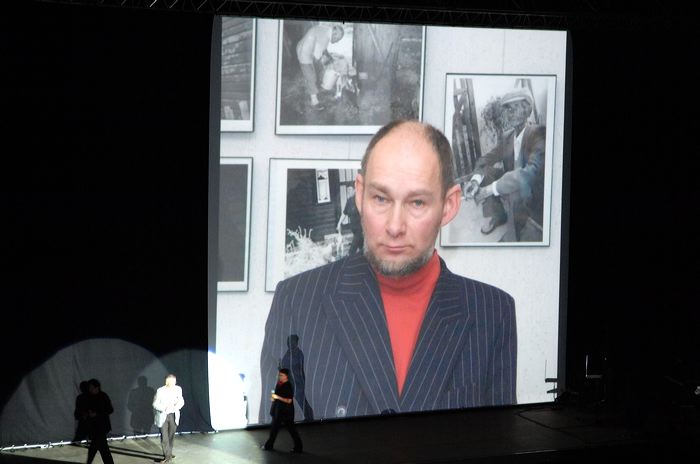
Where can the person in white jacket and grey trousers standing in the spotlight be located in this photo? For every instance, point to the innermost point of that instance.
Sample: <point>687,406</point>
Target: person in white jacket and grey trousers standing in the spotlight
<point>166,405</point>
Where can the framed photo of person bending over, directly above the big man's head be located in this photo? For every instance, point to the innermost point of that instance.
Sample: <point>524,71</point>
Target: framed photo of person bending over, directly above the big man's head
<point>347,78</point>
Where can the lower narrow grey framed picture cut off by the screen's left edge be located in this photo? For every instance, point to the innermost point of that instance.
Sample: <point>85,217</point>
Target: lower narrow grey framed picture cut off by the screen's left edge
<point>235,182</point>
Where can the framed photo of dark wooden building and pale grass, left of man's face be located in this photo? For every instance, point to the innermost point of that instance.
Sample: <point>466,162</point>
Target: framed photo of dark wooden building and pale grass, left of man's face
<point>312,219</point>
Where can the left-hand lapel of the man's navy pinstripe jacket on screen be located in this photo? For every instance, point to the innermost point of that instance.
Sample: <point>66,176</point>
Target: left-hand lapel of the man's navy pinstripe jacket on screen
<point>356,315</point>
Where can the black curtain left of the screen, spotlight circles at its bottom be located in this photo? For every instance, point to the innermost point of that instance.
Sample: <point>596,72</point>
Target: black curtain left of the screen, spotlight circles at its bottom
<point>104,202</point>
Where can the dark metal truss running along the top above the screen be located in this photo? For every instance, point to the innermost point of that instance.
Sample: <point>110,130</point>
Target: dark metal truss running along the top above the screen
<point>506,14</point>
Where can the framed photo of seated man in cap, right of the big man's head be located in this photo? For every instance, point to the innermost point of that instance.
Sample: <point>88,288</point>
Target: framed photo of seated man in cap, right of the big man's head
<point>500,128</point>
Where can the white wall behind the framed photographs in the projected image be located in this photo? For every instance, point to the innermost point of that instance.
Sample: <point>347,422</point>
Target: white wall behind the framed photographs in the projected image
<point>530,274</point>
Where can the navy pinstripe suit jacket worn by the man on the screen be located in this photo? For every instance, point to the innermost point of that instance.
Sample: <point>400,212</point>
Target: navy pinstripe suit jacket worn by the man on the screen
<point>465,355</point>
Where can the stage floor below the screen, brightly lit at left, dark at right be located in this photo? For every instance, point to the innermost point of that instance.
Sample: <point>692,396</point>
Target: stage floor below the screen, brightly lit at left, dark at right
<point>545,433</point>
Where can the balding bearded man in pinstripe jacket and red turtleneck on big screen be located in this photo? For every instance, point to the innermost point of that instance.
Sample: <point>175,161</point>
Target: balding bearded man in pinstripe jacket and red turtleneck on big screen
<point>392,329</point>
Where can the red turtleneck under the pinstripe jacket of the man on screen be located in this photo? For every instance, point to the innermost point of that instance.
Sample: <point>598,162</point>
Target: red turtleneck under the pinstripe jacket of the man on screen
<point>405,304</point>
